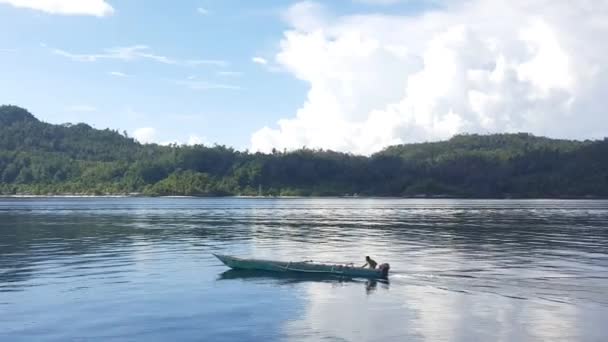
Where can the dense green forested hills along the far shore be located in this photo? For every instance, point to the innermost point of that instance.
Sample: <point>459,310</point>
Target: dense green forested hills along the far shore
<point>41,158</point>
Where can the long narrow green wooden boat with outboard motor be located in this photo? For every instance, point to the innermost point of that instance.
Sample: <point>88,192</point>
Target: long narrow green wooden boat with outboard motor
<point>304,267</point>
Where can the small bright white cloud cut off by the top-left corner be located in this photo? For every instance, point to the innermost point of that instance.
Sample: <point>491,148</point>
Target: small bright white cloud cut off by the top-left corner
<point>97,8</point>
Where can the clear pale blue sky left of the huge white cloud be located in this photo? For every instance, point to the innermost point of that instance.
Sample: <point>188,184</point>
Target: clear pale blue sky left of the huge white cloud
<point>242,96</point>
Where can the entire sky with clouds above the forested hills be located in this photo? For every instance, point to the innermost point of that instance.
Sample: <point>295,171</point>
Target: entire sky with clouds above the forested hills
<point>350,75</point>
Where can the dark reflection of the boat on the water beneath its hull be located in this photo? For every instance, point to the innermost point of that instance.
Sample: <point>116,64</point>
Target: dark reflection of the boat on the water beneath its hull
<point>285,278</point>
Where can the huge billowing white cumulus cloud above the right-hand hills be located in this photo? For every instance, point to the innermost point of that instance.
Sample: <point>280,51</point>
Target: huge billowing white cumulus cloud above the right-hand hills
<point>477,67</point>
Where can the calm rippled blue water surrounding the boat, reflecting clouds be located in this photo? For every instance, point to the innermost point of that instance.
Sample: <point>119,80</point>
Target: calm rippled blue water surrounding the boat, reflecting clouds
<point>142,269</point>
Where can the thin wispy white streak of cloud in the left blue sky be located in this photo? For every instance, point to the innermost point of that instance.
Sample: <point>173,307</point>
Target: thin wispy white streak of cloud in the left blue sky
<point>136,52</point>
